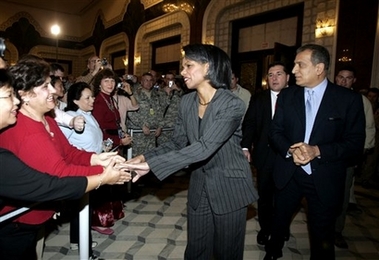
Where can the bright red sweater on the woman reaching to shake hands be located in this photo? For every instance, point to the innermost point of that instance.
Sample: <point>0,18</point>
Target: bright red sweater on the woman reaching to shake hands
<point>45,152</point>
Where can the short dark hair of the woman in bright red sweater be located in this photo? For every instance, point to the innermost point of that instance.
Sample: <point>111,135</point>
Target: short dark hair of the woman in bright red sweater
<point>29,72</point>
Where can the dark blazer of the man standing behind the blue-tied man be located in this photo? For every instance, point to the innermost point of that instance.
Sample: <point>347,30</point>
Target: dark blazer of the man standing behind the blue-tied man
<point>255,129</point>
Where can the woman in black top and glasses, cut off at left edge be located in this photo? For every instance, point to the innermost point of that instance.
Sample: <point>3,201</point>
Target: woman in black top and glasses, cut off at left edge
<point>20,182</point>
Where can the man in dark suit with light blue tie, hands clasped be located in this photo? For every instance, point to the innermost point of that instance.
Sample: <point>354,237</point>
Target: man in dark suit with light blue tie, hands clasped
<point>317,127</point>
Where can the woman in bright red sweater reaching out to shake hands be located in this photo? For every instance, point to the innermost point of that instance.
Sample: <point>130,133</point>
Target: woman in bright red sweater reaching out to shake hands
<point>37,140</point>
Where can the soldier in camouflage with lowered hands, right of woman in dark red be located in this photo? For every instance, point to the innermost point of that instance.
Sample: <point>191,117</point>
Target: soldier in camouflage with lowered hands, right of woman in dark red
<point>149,116</point>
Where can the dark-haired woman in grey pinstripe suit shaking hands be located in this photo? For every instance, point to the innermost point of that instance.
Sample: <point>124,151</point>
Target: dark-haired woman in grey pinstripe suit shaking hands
<point>207,137</point>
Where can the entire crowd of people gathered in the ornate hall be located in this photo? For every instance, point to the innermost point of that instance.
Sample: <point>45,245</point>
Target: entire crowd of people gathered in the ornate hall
<point>299,141</point>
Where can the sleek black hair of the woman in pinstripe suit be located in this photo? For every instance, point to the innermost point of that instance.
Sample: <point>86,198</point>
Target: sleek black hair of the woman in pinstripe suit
<point>220,69</point>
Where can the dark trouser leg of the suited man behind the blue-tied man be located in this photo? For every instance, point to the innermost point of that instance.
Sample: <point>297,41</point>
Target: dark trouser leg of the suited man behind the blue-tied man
<point>266,188</point>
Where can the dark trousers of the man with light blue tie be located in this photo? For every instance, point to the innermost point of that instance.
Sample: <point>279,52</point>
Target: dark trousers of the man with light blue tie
<point>321,217</point>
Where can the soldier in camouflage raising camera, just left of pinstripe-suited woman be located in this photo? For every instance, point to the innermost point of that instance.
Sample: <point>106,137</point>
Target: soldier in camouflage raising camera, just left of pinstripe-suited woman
<point>172,93</point>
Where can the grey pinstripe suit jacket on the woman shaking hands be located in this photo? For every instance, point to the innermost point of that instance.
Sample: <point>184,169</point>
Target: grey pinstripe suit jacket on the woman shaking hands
<point>212,148</point>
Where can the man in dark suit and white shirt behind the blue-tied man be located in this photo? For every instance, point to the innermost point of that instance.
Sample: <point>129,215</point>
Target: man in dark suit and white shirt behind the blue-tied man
<point>255,129</point>
